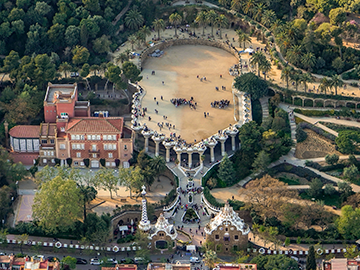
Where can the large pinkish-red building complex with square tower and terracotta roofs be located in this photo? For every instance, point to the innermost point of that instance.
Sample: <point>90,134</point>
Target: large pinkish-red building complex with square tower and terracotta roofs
<point>70,136</point>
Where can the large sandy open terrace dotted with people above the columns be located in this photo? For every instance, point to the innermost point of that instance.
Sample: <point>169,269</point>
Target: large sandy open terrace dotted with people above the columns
<point>178,68</point>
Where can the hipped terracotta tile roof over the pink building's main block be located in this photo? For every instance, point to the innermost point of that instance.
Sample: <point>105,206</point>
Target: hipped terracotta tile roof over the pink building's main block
<point>95,125</point>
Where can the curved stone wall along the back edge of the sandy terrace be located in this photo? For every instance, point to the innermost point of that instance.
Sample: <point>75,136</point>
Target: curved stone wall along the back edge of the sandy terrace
<point>185,41</point>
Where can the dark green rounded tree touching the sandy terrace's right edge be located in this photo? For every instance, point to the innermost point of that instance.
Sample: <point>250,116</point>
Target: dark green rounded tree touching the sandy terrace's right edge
<point>251,84</point>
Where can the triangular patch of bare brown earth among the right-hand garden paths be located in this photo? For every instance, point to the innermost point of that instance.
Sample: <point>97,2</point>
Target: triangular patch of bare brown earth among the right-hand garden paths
<point>314,146</point>
